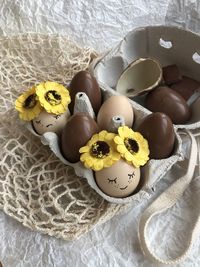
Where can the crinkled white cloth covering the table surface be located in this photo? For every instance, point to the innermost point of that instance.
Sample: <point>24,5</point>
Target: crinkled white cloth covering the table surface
<point>101,24</point>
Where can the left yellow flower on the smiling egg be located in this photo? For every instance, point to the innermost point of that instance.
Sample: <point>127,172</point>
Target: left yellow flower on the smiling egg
<point>100,151</point>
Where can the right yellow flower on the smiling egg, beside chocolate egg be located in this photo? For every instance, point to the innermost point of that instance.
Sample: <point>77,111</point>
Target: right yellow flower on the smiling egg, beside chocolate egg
<point>132,146</point>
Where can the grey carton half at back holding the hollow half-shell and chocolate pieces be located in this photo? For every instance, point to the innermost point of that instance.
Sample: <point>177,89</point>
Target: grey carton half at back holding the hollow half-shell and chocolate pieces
<point>168,45</point>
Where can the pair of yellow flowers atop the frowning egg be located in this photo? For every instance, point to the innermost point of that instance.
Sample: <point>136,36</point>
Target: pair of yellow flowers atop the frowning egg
<point>51,96</point>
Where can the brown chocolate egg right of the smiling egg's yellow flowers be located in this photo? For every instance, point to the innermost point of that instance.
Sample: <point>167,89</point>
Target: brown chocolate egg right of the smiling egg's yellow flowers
<point>158,129</point>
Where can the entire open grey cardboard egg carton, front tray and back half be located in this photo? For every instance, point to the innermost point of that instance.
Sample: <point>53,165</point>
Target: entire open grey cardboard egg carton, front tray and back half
<point>168,45</point>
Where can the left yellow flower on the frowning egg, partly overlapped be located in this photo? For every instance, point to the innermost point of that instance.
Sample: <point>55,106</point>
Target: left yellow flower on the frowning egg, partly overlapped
<point>28,105</point>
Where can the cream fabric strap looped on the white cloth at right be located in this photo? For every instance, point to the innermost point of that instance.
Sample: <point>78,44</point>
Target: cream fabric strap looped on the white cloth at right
<point>165,201</point>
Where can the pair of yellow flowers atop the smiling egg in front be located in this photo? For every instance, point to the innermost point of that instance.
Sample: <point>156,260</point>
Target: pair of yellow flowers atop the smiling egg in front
<point>105,148</point>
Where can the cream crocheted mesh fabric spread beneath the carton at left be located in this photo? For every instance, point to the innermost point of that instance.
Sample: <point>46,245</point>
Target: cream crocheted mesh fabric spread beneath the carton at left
<point>35,187</point>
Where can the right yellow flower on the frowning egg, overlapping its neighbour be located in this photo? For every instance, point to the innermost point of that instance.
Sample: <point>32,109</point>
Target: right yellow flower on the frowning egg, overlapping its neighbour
<point>54,97</point>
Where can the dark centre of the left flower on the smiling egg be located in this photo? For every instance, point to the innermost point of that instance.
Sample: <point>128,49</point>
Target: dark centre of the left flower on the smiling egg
<point>100,149</point>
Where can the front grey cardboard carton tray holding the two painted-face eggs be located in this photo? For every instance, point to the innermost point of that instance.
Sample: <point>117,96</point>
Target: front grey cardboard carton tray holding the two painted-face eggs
<point>151,173</point>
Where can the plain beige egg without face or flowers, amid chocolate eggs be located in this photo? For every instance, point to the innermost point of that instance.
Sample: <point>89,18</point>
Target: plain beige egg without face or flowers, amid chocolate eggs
<point>115,106</point>
